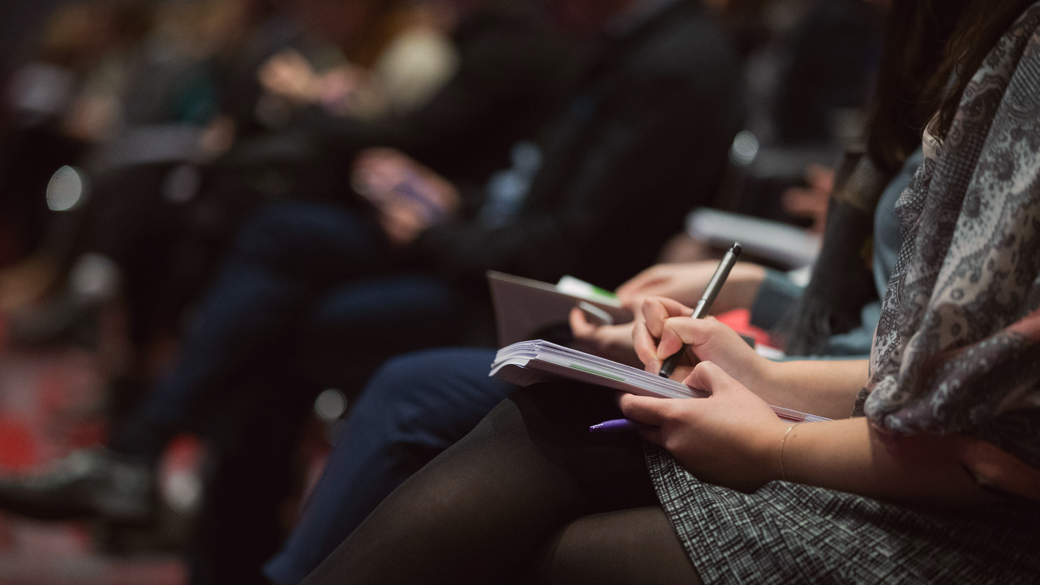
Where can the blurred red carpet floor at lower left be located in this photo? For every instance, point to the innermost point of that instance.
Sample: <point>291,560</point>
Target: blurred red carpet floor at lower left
<point>51,402</point>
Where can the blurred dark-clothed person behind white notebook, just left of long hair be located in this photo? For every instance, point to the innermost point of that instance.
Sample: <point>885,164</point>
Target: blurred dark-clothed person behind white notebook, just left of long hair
<point>809,78</point>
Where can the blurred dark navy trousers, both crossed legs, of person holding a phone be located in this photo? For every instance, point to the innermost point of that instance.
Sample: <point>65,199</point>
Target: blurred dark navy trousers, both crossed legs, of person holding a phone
<point>299,271</point>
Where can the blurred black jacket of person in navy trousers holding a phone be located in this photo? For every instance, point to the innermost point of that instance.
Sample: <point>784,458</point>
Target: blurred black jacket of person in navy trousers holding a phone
<point>644,141</point>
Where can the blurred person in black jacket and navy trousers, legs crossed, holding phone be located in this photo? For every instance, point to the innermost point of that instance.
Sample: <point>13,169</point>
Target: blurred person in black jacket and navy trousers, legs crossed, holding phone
<point>641,140</point>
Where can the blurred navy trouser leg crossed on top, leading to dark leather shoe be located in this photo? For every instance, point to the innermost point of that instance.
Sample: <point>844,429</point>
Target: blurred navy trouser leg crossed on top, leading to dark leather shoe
<point>283,260</point>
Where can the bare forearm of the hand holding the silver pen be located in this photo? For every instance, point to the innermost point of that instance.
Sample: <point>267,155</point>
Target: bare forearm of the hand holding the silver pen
<point>824,388</point>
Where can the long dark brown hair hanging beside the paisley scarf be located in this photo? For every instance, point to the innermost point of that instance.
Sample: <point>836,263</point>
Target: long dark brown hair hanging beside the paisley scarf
<point>930,43</point>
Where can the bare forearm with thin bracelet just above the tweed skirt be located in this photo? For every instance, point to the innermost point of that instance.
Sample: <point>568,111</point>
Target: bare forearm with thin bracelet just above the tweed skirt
<point>850,456</point>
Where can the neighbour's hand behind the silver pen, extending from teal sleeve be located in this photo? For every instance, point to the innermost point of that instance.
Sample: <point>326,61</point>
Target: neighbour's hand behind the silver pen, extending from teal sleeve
<point>686,283</point>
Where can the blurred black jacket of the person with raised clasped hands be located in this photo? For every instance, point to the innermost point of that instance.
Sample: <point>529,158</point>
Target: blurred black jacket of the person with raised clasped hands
<point>513,74</point>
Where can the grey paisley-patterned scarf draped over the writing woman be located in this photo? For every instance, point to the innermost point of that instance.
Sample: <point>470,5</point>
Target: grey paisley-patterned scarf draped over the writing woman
<point>957,351</point>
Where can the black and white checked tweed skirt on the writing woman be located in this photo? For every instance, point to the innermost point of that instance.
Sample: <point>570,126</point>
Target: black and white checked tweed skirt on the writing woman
<point>793,533</point>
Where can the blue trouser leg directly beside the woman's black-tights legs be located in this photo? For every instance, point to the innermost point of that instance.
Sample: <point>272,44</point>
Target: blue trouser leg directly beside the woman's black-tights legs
<point>412,410</point>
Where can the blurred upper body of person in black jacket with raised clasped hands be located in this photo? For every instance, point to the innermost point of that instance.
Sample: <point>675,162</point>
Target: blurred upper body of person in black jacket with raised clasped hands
<point>513,72</point>
